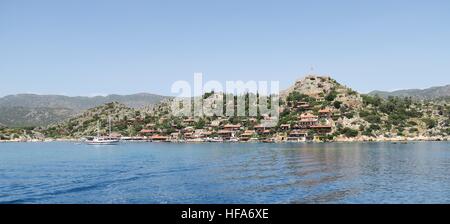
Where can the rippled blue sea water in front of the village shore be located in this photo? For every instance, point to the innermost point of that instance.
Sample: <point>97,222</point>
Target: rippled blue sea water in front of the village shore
<point>225,173</point>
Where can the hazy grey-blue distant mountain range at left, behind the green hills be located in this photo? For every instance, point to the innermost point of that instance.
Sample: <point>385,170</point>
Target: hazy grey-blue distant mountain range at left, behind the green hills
<point>40,110</point>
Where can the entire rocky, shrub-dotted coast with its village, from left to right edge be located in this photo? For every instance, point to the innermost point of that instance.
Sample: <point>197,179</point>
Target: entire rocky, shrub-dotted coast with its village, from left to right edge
<point>314,109</point>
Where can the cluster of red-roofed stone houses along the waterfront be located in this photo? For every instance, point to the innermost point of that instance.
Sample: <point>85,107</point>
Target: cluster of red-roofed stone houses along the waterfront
<point>221,131</point>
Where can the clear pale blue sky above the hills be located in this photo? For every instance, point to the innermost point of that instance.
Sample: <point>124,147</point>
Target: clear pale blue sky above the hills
<point>88,47</point>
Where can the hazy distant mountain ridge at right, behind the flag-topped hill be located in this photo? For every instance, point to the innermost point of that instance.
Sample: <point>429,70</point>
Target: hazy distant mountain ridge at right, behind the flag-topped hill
<point>419,94</point>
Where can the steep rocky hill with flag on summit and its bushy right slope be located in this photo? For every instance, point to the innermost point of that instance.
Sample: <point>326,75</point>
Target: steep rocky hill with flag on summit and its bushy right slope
<point>365,116</point>
